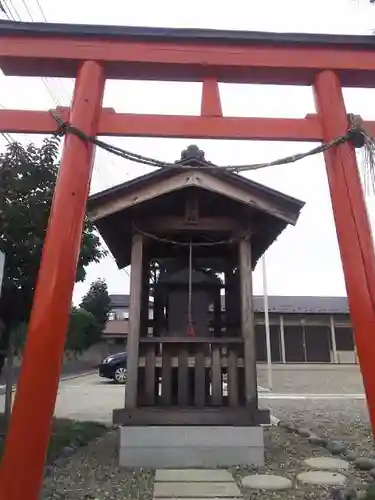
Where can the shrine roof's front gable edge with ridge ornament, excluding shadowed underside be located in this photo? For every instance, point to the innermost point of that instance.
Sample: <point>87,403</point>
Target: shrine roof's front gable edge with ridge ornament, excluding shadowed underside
<point>128,194</point>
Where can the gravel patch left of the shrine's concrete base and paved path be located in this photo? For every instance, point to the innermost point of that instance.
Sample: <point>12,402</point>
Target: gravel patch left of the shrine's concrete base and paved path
<point>93,474</point>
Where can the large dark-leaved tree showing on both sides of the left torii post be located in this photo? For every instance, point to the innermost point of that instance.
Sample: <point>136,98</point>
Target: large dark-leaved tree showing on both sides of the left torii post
<point>27,180</point>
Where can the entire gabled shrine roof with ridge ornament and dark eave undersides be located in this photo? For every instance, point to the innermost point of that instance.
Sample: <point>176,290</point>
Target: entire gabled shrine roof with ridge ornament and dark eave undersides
<point>116,211</point>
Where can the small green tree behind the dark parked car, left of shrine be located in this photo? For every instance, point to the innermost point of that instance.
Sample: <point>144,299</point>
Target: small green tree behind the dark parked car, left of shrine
<point>98,303</point>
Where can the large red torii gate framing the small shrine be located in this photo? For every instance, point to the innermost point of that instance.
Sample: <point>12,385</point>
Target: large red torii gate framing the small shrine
<point>92,54</point>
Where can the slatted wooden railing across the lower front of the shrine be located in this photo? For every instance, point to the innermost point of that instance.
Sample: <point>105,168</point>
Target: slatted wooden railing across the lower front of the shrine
<point>191,372</point>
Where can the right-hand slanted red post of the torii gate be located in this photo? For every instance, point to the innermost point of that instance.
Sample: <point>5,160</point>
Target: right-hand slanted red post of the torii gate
<point>352,227</point>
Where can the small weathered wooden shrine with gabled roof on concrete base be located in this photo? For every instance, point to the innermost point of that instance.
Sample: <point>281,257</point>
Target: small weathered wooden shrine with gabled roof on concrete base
<point>192,235</point>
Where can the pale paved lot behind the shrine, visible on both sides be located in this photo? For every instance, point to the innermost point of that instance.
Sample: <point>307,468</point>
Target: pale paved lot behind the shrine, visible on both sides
<point>90,397</point>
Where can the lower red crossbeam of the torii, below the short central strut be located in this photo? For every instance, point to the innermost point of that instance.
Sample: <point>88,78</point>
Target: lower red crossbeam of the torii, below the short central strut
<point>306,129</point>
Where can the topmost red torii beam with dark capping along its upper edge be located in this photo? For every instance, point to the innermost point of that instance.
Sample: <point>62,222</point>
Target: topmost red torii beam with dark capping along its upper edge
<point>169,54</point>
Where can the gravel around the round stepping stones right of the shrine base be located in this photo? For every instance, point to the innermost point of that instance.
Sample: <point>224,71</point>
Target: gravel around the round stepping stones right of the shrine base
<point>285,453</point>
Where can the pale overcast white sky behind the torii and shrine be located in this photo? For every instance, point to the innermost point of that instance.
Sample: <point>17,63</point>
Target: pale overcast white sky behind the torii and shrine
<point>305,259</point>
